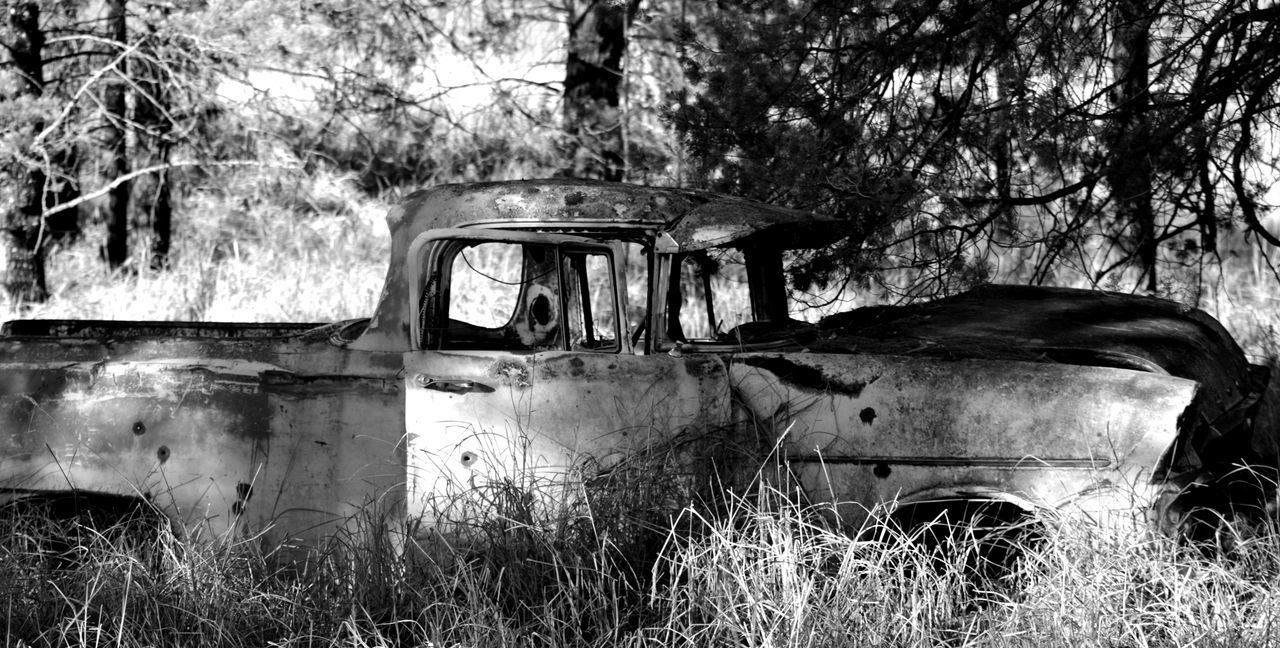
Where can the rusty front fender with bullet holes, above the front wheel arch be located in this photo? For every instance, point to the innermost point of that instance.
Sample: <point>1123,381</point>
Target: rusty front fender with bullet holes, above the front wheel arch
<point>865,428</point>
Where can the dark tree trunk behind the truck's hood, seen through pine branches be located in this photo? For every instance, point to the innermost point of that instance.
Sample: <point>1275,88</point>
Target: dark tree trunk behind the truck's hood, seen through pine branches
<point>1131,170</point>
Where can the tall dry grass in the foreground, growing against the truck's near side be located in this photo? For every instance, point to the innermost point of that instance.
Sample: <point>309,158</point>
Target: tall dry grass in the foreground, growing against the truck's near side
<point>762,572</point>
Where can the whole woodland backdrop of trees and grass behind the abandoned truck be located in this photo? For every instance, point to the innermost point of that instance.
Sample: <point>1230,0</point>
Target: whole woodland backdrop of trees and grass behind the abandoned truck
<point>232,161</point>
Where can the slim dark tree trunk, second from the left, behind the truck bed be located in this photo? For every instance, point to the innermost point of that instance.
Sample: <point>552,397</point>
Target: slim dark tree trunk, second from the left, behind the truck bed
<point>116,143</point>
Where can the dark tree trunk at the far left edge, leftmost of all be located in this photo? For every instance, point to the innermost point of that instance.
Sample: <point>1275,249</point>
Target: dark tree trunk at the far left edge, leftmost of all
<point>25,273</point>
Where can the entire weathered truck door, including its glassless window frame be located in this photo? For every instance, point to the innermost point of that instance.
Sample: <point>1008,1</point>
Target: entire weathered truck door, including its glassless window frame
<point>527,384</point>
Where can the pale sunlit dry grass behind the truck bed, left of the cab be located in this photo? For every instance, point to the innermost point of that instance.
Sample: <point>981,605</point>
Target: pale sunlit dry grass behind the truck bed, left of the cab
<point>272,248</point>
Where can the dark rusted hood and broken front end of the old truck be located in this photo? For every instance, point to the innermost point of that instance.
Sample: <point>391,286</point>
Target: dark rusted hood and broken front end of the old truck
<point>1064,326</point>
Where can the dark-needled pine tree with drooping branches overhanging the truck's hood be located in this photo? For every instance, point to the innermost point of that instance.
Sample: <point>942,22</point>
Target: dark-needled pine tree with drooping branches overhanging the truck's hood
<point>1124,129</point>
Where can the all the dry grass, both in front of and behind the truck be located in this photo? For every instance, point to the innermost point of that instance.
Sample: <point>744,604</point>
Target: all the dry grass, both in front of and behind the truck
<point>761,572</point>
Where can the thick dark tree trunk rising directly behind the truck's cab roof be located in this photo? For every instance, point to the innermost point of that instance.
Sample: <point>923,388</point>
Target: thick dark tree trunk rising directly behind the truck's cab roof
<point>593,83</point>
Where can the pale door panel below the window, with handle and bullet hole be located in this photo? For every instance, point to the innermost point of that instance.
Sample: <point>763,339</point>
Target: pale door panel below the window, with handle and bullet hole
<point>534,421</point>
